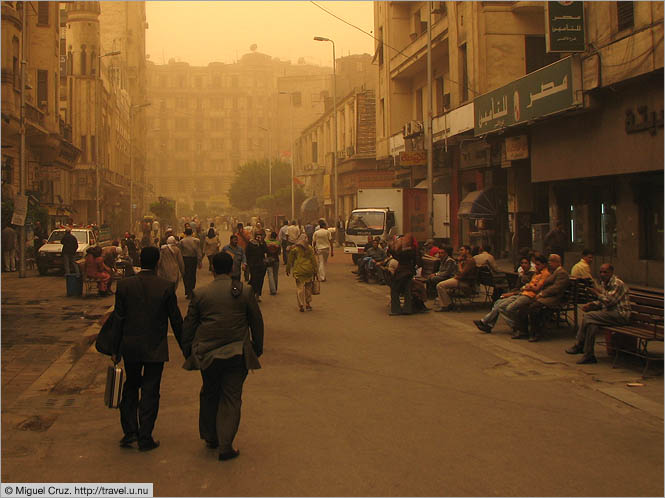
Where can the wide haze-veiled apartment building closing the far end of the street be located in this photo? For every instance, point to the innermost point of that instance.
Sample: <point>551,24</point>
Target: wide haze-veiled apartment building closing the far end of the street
<point>206,121</point>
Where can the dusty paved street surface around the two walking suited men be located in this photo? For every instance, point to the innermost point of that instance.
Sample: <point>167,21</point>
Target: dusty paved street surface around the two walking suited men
<point>350,401</point>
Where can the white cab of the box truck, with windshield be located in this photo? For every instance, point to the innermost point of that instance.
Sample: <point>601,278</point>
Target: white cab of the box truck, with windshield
<point>364,223</point>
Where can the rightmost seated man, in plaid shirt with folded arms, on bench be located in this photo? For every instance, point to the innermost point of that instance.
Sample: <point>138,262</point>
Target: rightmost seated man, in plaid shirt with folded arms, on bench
<point>611,308</point>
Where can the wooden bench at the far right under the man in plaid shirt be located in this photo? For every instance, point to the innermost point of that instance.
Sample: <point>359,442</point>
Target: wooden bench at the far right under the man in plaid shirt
<point>646,325</point>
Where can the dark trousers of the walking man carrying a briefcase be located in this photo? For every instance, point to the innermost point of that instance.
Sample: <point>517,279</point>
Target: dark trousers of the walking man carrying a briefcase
<point>138,416</point>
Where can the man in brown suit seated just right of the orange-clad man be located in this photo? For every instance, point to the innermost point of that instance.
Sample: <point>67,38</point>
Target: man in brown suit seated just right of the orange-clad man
<point>550,295</point>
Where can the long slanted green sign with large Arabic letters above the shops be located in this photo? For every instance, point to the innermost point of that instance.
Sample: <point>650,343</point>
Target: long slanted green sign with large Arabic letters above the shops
<point>548,90</point>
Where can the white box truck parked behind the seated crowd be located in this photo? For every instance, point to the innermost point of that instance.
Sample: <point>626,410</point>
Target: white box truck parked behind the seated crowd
<point>384,212</point>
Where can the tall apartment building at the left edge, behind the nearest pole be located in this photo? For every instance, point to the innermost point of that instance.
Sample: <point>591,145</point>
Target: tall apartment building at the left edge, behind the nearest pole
<point>50,153</point>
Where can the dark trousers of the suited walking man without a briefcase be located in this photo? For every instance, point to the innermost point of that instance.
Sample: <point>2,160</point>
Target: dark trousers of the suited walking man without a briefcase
<point>220,401</point>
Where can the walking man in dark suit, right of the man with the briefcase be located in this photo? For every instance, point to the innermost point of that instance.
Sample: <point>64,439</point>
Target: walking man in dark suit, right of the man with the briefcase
<point>222,337</point>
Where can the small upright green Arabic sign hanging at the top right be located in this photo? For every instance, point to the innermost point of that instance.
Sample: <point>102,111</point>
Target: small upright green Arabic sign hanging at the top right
<point>565,27</point>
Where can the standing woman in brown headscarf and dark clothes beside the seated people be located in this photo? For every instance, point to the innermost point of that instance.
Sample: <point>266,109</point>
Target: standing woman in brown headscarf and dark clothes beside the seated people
<point>404,250</point>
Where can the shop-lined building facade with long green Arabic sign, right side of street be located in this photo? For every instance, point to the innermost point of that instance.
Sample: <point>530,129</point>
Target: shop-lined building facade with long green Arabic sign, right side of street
<point>504,160</point>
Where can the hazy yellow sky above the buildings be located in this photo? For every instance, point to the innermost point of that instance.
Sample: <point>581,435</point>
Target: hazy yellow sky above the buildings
<point>203,32</point>
